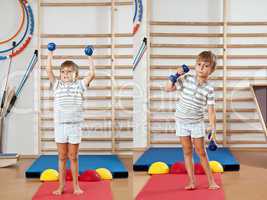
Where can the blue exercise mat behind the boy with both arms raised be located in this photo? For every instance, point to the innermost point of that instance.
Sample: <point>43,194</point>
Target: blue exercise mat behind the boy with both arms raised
<point>86,162</point>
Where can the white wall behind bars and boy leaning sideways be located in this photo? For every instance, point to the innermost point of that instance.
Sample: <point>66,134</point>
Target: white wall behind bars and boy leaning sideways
<point>205,11</point>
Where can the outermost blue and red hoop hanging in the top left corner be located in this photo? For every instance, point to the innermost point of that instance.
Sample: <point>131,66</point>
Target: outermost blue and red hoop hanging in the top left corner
<point>30,22</point>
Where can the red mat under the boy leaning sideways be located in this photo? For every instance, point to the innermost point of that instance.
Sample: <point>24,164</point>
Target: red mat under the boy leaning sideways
<point>171,187</point>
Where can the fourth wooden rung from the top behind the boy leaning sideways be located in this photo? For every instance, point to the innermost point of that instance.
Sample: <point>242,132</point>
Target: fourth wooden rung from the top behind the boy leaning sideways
<point>161,56</point>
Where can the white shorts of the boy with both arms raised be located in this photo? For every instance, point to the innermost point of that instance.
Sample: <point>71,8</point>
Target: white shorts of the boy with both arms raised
<point>68,133</point>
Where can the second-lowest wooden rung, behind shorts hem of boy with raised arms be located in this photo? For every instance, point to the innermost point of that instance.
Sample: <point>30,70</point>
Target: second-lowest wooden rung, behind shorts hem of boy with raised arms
<point>94,139</point>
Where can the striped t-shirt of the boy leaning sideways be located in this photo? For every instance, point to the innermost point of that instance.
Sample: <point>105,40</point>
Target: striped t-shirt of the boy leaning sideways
<point>194,99</point>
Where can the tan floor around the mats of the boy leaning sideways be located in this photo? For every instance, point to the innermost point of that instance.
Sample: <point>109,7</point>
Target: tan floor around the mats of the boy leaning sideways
<point>247,184</point>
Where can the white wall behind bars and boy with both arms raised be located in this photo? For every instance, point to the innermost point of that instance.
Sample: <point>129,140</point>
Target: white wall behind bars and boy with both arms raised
<point>21,131</point>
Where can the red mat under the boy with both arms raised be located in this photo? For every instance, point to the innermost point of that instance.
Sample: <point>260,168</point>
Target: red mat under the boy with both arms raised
<point>92,190</point>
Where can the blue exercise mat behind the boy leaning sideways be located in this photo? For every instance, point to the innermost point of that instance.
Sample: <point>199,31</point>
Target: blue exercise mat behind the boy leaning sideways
<point>172,155</point>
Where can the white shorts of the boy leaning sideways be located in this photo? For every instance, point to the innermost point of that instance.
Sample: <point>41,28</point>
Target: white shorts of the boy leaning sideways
<point>195,129</point>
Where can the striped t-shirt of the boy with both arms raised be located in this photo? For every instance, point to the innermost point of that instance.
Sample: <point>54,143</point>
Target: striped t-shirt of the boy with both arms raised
<point>68,101</point>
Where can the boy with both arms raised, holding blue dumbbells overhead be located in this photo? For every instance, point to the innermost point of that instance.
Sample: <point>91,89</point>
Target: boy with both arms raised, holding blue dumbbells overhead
<point>68,102</point>
